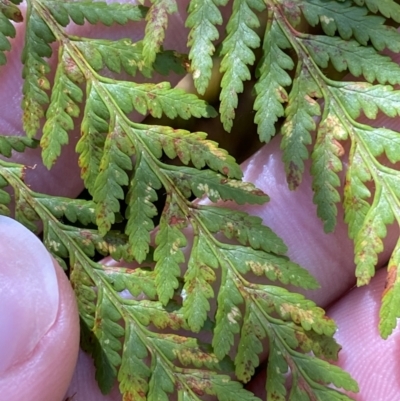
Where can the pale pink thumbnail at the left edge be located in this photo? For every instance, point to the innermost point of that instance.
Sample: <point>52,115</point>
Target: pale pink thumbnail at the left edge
<point>29,294</point>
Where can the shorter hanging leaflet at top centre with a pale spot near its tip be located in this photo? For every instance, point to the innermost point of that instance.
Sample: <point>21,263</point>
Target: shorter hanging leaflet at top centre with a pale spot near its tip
<point>202,18</point>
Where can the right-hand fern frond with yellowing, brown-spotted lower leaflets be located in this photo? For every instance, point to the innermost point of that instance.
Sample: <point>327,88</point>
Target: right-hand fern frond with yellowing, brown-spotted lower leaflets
<point>352,42</point>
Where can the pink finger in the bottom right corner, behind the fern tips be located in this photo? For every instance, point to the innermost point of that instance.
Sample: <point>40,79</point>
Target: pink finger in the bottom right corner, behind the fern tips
<point>372,361</point>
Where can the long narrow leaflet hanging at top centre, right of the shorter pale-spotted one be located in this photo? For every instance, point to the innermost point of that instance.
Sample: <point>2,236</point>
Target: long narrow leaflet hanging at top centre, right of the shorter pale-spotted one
<point>237,54</point>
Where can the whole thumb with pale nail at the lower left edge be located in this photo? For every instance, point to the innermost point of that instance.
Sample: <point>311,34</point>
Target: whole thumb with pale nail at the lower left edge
<point>39,327</point>
